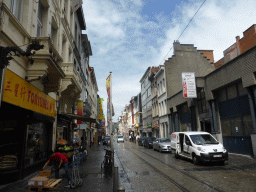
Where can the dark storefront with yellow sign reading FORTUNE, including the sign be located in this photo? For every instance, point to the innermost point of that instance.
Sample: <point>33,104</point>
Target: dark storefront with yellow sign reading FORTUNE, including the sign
<point>26,128</point>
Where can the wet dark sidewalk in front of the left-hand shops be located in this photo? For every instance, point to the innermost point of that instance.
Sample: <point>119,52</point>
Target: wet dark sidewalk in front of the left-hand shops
<point>94,180</point>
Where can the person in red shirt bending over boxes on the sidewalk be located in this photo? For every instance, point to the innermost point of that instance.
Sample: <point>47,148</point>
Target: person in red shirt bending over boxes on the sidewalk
<point>59,159</point>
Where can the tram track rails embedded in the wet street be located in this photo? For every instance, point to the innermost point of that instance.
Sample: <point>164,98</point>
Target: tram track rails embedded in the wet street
<point>182,188</point>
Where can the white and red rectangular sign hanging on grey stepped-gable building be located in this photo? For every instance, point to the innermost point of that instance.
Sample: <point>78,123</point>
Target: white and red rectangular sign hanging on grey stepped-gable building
<point>189,85</point>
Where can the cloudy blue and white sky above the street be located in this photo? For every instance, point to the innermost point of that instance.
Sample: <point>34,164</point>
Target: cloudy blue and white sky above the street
<point>128,36</point>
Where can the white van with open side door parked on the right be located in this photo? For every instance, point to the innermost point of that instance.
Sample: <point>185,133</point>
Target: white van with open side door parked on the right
<point>198,146</point>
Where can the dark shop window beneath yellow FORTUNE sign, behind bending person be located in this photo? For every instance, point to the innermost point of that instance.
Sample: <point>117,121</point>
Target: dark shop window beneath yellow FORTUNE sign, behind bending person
<point>36,146</point>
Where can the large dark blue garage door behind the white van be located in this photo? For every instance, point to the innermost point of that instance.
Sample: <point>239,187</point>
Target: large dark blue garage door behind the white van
<point>236,119</point>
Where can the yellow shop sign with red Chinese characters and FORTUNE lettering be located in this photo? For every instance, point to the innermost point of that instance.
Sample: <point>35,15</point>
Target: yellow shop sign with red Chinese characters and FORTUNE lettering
<point>21,93</point>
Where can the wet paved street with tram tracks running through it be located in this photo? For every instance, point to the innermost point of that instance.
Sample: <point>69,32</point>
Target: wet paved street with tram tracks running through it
<point>148,170</point>
